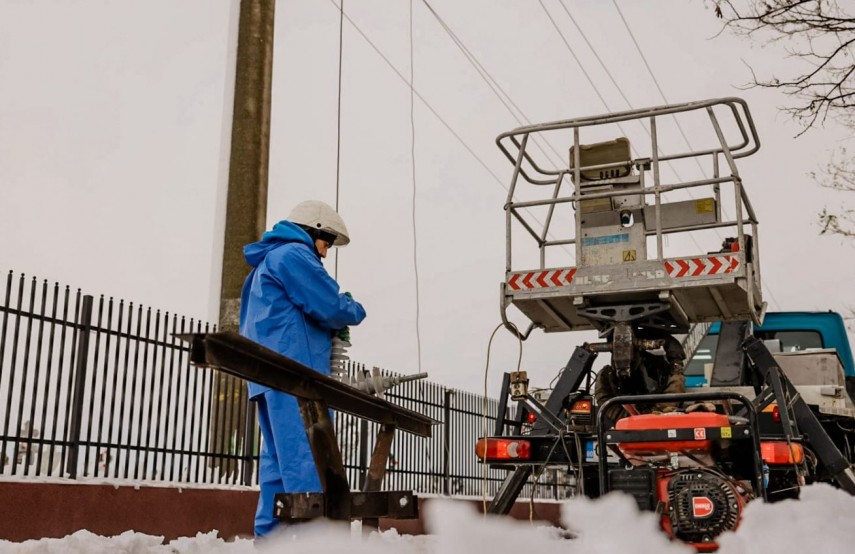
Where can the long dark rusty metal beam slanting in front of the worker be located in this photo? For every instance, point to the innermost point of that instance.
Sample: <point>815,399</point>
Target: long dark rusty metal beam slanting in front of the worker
<point>237,355</point>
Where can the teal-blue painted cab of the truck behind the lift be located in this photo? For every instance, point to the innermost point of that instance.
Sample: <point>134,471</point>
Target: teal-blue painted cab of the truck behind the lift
<point>796,331</point>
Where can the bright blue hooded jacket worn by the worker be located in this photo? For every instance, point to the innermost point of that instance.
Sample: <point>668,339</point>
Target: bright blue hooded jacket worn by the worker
<point>289,303</point>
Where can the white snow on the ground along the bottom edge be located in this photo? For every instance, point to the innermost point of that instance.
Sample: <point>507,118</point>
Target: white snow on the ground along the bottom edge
<point>822,521</point>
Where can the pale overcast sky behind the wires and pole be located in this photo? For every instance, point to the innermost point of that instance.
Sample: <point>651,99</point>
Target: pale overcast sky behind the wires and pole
<point>115,121</point>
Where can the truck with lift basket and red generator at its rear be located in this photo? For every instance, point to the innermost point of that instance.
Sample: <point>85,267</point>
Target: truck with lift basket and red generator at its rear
<point>647,239</point>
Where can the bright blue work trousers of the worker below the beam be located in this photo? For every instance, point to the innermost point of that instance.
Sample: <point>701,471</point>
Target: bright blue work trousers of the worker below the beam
<point>286,463</point>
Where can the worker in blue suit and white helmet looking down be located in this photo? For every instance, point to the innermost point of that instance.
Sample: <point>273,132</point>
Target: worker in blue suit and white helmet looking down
<point>290,304</point>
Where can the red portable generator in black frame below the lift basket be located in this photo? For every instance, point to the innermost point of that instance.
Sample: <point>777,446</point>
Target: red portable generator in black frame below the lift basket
<point>696,470</point>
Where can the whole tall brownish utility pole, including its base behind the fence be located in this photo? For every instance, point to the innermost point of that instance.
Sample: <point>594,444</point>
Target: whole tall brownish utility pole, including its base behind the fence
<point>246,218</point>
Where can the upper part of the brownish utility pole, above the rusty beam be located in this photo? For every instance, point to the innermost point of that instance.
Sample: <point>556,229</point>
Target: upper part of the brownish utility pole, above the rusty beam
<point>246,210</point>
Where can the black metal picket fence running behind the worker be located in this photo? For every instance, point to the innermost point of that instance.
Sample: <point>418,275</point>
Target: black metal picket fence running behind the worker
<point>104,388</point>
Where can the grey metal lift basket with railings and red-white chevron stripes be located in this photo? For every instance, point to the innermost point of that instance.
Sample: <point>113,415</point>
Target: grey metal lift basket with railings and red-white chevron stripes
<point>724,284</point>
